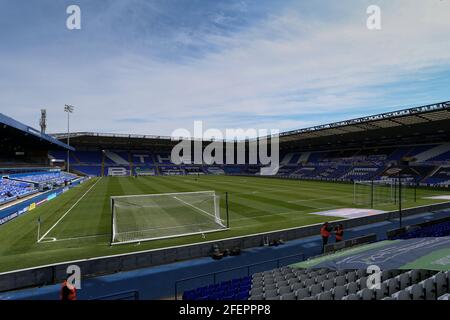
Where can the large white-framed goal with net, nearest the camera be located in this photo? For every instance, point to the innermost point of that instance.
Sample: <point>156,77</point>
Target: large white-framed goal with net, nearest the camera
<point>137,218</point>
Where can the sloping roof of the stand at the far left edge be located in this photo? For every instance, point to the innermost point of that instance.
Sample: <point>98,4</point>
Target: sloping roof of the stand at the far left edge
<point>13,131</point>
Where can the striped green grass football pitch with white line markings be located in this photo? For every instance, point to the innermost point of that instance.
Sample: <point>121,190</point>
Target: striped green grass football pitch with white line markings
<point>255,205</point>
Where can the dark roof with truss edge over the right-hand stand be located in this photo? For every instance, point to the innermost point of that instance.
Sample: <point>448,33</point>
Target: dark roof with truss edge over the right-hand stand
<point>414,125</point>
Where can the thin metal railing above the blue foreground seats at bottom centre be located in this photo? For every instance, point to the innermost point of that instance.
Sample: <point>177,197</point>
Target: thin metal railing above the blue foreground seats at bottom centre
<point>248,268</point>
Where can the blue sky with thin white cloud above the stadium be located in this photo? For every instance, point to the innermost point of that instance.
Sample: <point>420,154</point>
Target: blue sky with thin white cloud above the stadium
<point>152,67</point>
